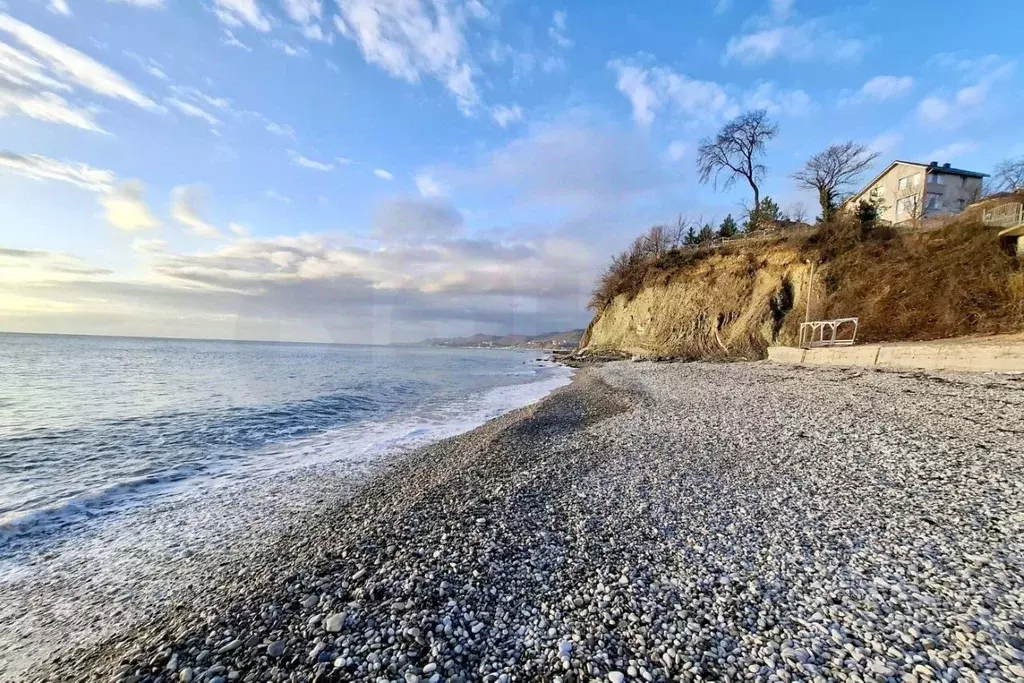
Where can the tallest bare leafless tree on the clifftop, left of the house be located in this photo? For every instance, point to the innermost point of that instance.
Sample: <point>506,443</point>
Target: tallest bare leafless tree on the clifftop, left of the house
<point>737,152</point>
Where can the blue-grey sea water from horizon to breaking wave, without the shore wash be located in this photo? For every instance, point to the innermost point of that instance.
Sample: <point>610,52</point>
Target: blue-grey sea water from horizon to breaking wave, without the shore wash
<point>96,428</point>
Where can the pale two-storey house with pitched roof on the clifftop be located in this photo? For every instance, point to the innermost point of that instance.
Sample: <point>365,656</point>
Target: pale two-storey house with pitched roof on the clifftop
<point>908,191</point>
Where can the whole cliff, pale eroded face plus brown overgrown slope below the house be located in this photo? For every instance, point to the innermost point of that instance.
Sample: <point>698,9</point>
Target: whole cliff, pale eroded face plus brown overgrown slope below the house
<point>738,301</point>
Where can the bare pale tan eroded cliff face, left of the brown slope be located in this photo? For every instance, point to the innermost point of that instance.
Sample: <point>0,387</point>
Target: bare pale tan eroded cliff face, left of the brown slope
<point>724,307</point>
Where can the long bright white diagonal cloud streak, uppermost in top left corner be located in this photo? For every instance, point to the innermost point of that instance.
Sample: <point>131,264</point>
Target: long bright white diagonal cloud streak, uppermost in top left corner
<point>73,68</point>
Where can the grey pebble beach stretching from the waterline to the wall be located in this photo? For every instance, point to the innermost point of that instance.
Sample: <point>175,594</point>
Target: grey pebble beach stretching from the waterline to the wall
<point>699,522</point>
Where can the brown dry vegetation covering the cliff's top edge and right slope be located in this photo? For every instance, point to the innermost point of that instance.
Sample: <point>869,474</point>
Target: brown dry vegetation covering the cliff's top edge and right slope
<point>952,282</point>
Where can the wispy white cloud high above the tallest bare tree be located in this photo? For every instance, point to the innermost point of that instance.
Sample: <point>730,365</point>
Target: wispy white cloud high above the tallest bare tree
<point>804,42</point>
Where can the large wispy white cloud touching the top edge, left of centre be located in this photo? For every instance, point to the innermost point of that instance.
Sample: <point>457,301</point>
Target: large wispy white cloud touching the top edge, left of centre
<point>410,39</point>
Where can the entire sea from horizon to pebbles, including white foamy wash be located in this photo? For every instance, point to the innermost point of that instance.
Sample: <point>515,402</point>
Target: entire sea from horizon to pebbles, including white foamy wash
<point>127,465</point>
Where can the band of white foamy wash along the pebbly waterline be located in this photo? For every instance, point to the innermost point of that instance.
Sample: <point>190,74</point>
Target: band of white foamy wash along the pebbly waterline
<point>93,584</point>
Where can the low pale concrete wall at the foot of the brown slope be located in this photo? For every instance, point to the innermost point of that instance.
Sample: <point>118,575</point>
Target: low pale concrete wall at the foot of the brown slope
<point>975,357</point>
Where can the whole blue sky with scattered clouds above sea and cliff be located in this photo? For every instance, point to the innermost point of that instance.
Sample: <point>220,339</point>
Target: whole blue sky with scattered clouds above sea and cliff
<point>379,172</point>
